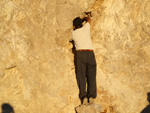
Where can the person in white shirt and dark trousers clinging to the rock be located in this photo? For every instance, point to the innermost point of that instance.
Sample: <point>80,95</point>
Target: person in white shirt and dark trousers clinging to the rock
<point>85,60</point>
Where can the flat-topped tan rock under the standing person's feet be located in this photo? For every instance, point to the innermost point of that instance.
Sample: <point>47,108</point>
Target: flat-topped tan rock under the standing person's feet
<point>91,108</point>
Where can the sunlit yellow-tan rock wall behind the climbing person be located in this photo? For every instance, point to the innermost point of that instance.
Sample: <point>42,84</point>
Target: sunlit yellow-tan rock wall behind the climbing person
<point>37,72</point>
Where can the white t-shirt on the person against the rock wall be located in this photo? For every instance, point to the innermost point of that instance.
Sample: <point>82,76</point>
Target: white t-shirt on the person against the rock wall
<point>82,37</point>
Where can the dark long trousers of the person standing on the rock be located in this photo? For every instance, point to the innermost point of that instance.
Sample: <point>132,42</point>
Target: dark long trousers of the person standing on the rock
<point>86,73</point>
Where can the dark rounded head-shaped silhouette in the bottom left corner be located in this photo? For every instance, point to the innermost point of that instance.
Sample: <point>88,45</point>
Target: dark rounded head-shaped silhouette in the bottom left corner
<point>7,108</point>
